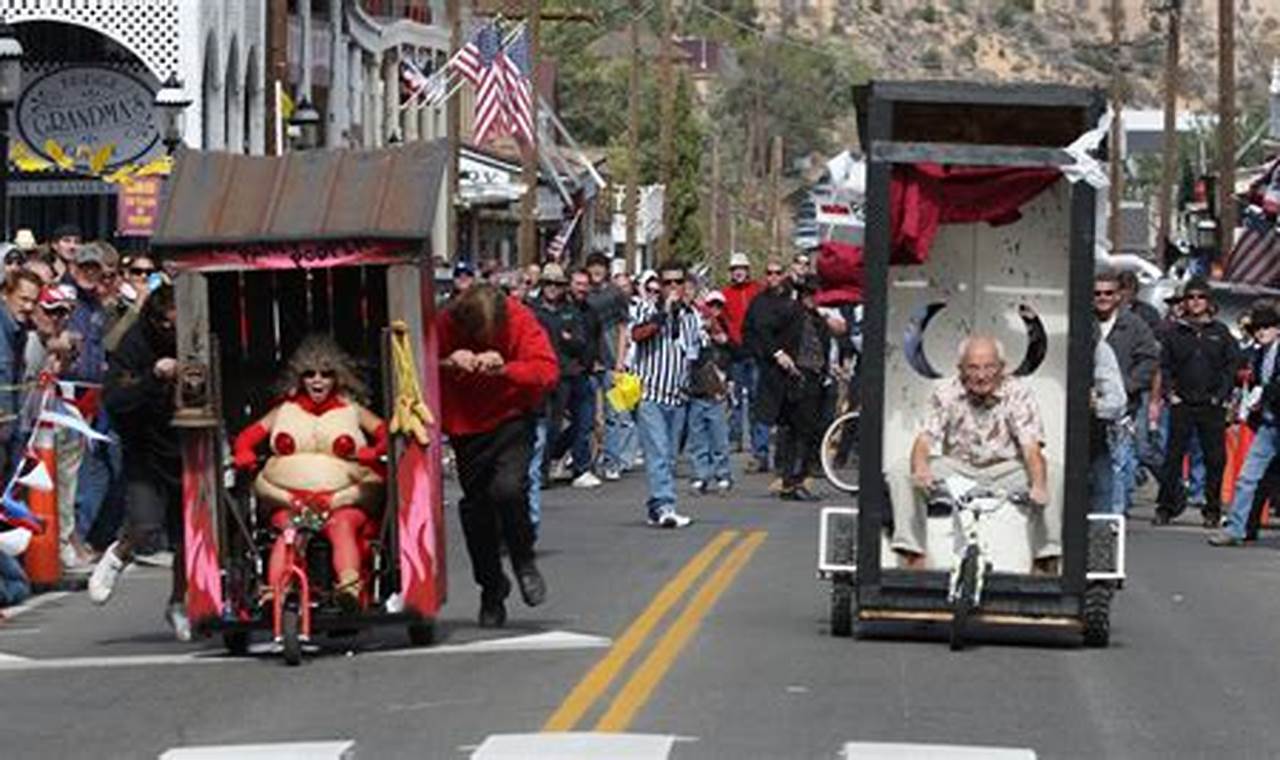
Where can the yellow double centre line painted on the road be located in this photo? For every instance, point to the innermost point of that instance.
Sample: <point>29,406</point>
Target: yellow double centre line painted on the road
<point>641,688</point>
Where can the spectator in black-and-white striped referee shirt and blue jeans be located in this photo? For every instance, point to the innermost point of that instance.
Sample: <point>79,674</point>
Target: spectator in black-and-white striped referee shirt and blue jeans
<point>669,336</point>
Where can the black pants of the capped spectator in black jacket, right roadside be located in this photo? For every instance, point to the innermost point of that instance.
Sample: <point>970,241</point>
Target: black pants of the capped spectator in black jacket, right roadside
<point>1209,423</point>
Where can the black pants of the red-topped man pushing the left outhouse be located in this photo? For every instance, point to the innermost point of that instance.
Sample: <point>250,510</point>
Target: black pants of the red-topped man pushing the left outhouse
<point>493,470</point>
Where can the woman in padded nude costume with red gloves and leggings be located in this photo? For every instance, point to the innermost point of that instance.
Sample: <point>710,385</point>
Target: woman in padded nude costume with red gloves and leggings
<point>326,455</point>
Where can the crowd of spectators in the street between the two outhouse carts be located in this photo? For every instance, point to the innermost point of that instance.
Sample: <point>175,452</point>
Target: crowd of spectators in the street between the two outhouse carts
<point>755,365</point>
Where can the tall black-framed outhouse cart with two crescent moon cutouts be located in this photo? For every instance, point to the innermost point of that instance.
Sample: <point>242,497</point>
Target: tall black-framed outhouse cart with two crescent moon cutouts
<point>981,221</point>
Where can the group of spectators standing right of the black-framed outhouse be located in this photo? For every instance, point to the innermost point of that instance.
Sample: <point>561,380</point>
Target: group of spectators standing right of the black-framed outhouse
<point>1188,379</point>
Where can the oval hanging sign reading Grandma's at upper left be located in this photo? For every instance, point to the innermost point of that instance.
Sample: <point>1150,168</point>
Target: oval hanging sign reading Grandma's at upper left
<point>93,117</point>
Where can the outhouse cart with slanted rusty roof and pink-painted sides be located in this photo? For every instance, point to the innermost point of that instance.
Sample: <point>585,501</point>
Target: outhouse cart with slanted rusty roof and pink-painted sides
<point>271,250</point>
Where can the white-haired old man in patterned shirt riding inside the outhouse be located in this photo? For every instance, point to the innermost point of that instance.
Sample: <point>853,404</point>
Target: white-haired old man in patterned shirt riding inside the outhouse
<point>984,425</point>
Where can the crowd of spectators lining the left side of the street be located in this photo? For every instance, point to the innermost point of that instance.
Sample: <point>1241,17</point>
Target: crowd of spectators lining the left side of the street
<point>68,306</point>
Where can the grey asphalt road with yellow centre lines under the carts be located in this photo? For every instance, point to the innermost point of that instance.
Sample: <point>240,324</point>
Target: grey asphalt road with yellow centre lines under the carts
<point>701,644</point>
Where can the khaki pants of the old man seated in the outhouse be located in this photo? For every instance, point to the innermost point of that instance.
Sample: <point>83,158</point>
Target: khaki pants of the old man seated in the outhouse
<point>909,507</point>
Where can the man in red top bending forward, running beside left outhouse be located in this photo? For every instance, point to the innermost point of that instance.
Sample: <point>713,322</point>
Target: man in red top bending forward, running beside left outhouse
<point>496,367</point>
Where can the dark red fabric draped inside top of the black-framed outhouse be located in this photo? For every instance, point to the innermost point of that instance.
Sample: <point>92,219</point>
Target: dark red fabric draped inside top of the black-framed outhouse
<point>925,196</point>
